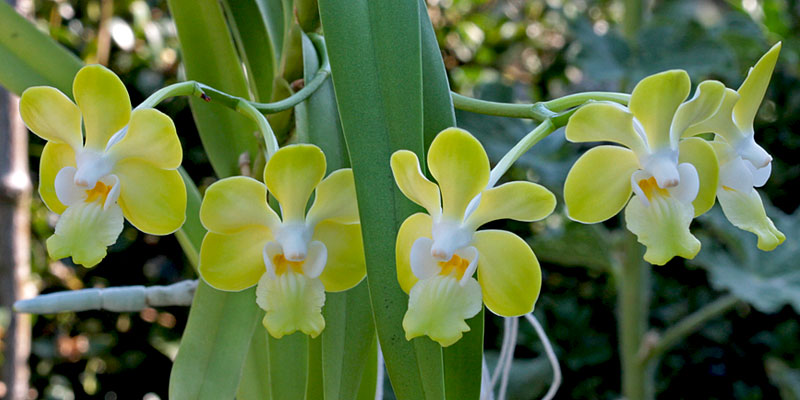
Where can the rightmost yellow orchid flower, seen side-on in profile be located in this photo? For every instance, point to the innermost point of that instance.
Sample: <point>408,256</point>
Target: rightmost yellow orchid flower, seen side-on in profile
<point>743,164</point>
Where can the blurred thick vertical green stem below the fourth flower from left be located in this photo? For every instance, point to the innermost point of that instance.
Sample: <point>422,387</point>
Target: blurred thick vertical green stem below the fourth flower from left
<point>633,283</point>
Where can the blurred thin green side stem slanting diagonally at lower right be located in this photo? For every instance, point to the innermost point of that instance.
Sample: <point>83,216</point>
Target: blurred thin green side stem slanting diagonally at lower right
<point>689,325</point>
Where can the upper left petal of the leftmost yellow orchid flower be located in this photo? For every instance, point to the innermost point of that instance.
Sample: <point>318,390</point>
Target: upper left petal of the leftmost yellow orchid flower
<point>51,115</point>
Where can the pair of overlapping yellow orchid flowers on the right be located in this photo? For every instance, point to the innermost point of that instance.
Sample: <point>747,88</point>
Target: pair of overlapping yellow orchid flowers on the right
<point>674,176</point>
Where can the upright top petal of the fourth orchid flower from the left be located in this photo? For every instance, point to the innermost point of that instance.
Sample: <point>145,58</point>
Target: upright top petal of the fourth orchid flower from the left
<point>655,100</point>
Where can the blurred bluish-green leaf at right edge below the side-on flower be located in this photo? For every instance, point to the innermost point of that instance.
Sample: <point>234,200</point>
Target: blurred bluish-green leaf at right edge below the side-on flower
<point>767,280</point>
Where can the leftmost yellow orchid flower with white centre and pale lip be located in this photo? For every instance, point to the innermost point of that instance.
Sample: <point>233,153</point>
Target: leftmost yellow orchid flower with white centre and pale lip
<point>126,166</point>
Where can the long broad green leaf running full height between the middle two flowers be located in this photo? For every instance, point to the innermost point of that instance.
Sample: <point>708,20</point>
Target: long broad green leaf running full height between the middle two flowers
<point>375,54</point>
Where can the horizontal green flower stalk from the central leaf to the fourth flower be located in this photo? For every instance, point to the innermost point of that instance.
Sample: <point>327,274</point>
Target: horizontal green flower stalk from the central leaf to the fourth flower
<point>539,111</point>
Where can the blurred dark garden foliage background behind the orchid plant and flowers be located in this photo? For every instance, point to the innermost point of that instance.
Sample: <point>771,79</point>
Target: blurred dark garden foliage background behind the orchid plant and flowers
<point>514,51</point>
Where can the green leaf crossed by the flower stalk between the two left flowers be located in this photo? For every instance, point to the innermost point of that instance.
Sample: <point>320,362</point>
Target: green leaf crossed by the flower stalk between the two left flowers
<point>209,56</point>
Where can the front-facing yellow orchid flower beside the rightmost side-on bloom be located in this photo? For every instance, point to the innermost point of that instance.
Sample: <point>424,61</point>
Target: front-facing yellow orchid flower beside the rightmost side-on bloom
<point>673,180</point>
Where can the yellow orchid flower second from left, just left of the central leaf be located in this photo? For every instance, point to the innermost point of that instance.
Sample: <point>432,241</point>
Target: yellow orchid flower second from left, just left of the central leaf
<point>293,260</point>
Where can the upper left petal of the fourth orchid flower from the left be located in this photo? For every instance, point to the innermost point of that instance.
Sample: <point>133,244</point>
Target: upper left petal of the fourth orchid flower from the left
<point>605,122</point>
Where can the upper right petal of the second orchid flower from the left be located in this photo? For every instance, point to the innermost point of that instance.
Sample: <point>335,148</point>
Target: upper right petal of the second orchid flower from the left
<point>335,199</point>
